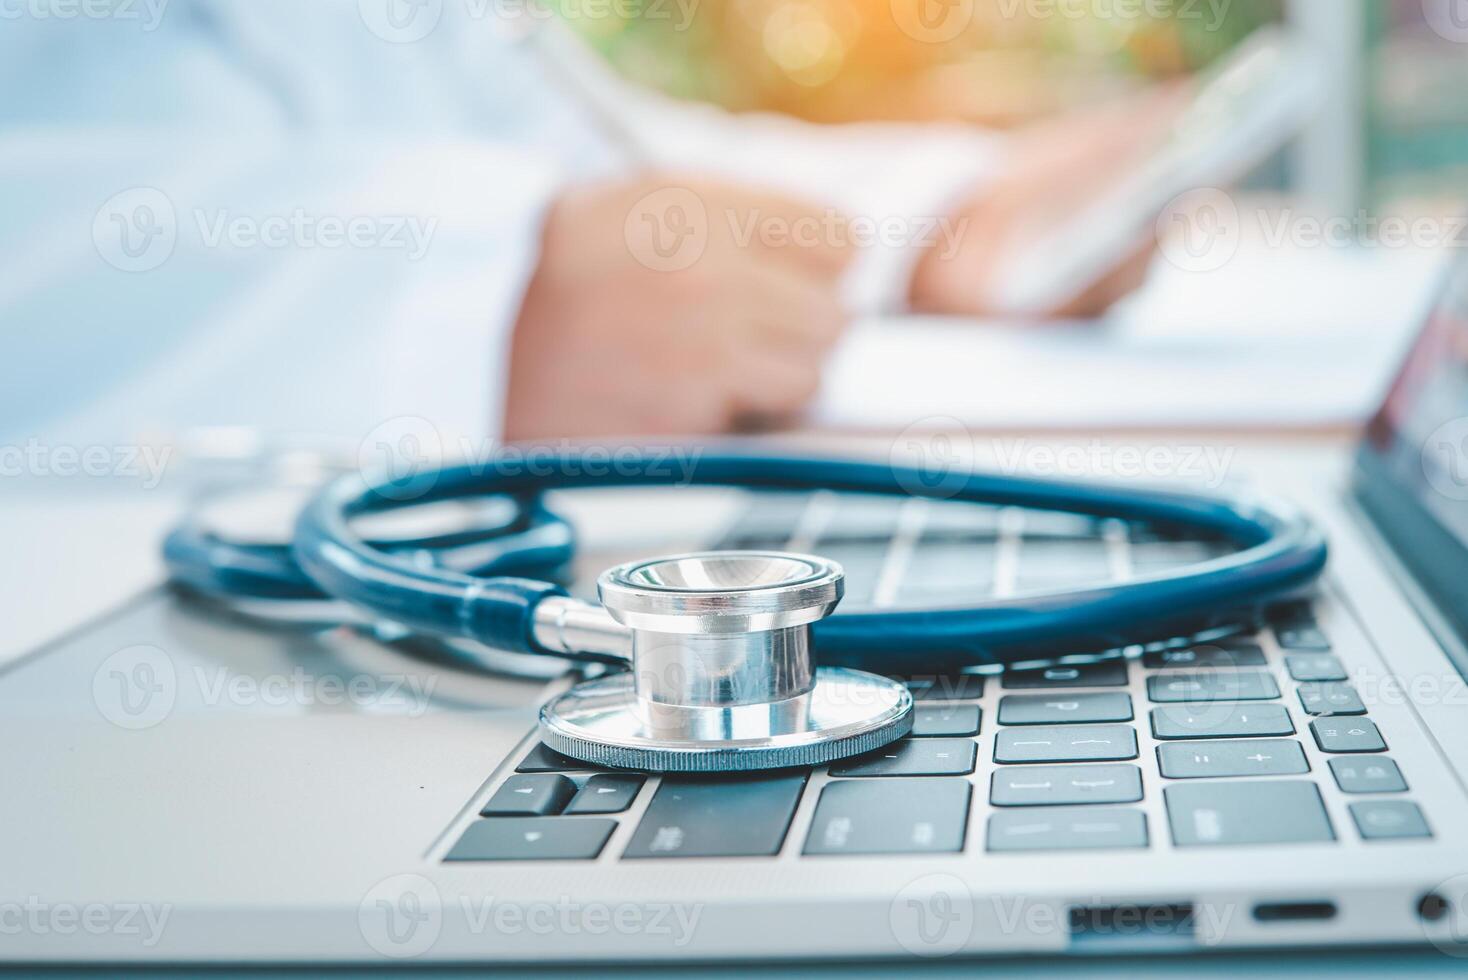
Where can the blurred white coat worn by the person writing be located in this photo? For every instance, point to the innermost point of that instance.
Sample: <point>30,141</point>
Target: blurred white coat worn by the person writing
<point>299,216</point>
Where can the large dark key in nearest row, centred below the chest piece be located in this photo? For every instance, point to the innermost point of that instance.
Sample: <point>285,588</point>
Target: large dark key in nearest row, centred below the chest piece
<point>717,818</point>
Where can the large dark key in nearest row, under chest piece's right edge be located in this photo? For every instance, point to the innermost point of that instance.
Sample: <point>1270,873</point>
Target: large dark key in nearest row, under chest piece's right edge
<point>879,816</point>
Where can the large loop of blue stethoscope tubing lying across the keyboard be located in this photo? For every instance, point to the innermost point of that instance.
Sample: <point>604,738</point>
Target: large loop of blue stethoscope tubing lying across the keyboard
<point>1279,554</point>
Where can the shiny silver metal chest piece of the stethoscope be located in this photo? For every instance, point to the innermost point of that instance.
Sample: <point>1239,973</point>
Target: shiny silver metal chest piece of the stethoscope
<point>723,676</point>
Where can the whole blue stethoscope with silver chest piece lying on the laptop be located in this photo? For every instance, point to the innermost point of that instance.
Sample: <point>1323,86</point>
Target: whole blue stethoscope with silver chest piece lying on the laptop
<point>723,648</point>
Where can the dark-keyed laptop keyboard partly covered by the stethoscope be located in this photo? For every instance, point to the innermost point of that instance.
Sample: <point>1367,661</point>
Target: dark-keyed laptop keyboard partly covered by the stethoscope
<point>1046,758</point>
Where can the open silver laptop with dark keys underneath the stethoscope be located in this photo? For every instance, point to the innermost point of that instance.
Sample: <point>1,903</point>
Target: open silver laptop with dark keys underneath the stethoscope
<point>193,783</point>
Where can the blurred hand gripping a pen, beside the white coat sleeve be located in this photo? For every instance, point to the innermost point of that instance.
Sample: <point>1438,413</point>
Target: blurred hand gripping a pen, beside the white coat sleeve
<point>669,306</point>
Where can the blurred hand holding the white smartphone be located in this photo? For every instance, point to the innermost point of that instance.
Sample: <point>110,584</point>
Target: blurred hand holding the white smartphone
<point>1056,169</point>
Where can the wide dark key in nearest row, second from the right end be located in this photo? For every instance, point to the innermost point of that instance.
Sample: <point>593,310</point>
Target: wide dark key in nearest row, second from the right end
<point>1269,812</point>
